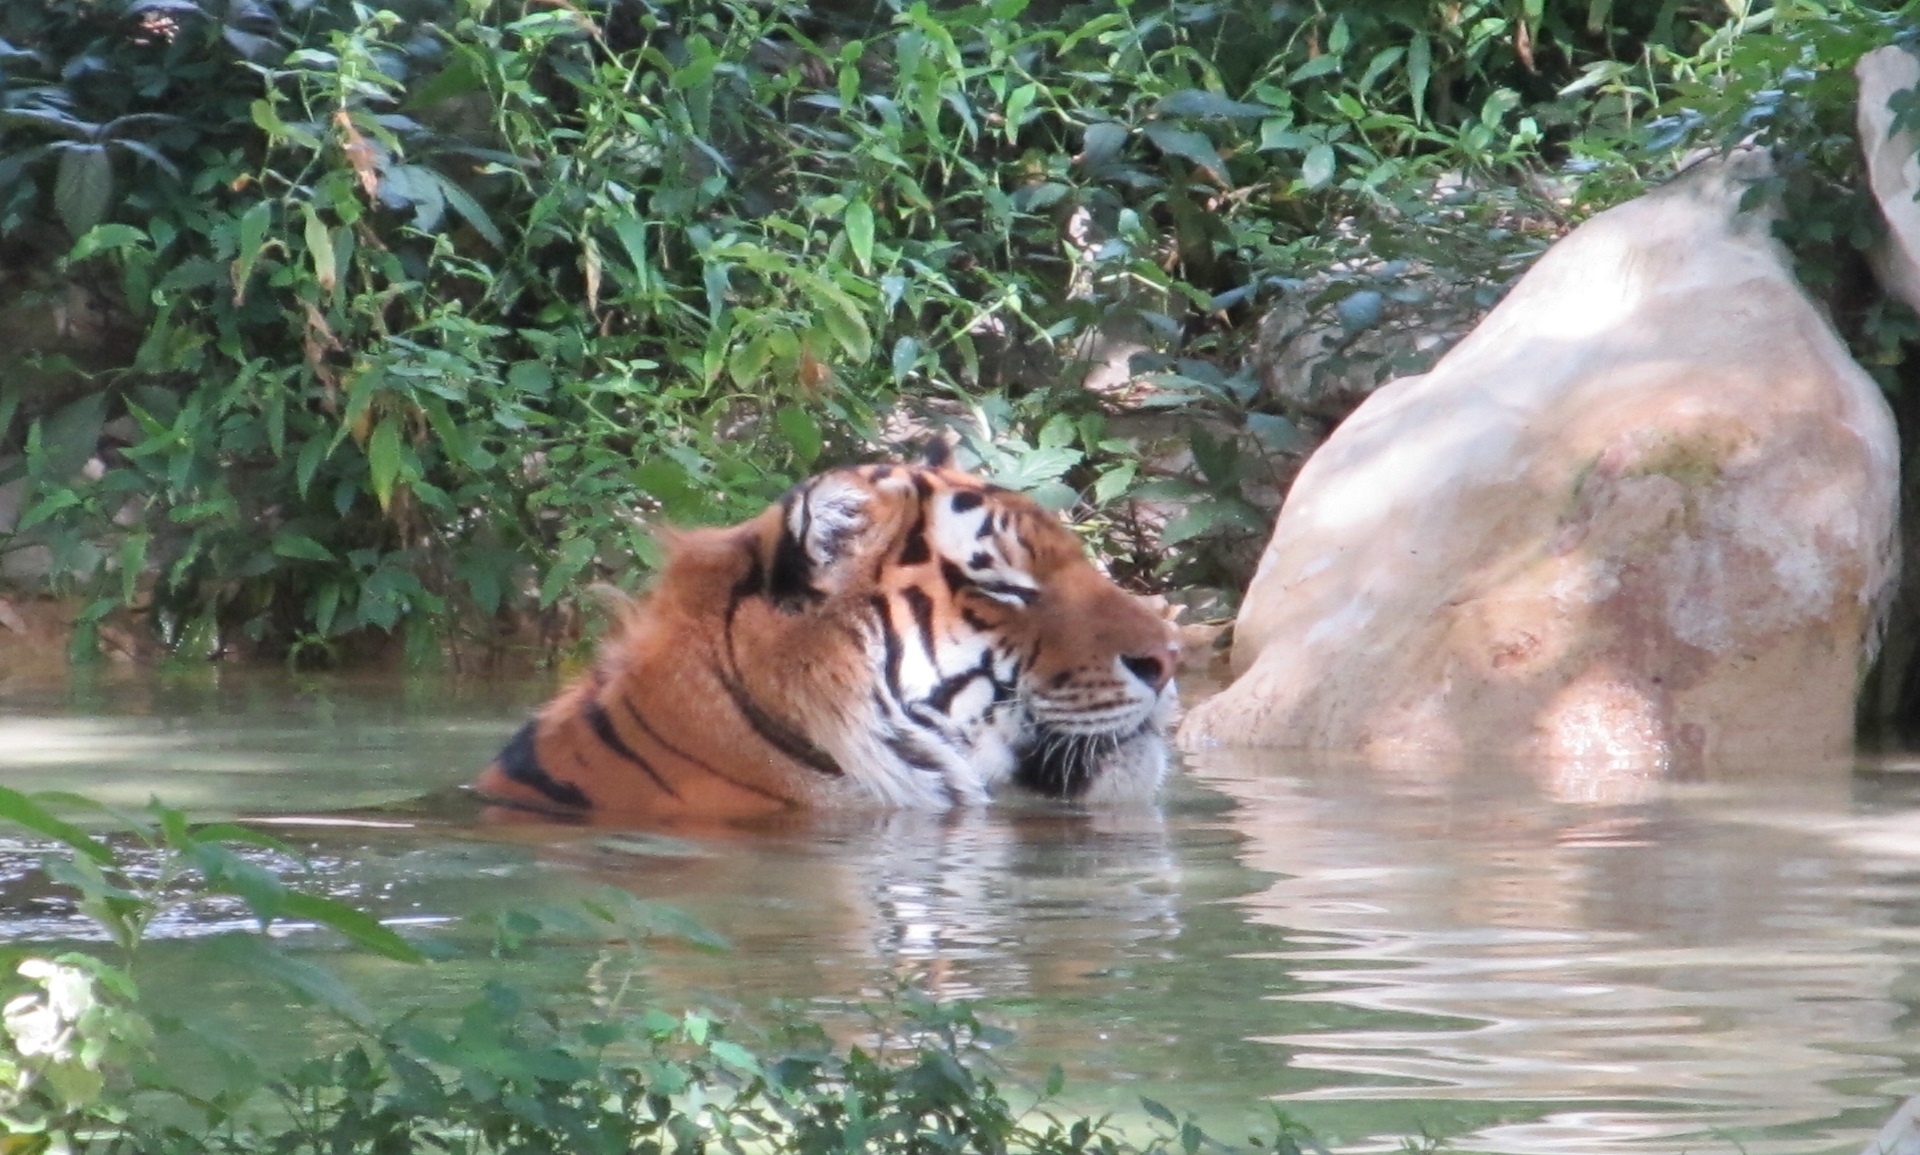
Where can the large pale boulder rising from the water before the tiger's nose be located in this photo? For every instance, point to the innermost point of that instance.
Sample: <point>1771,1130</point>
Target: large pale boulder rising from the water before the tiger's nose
<point>1644,513</point>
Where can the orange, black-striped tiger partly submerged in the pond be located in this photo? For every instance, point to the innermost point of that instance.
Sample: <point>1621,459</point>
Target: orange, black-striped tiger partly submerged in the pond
<point>888,636</point>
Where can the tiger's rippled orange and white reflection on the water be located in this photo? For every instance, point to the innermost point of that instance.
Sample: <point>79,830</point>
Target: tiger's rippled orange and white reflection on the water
<point>1007,905</point>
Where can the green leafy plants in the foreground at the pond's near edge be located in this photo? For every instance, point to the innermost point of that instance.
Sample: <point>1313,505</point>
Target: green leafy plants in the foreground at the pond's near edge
<point>87,1068</point>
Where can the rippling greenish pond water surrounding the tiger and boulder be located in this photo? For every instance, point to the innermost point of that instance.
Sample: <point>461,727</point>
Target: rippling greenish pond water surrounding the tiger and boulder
<point>1520,960</point>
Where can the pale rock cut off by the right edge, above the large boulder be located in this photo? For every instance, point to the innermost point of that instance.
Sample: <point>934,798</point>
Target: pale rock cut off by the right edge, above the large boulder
<point>1892,168</point>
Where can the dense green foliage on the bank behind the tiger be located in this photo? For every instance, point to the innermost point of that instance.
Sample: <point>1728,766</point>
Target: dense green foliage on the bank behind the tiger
<point>416,319</point>
